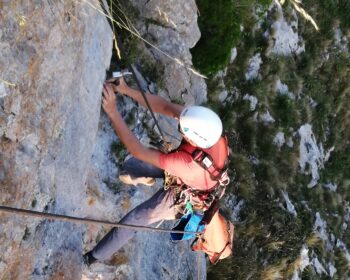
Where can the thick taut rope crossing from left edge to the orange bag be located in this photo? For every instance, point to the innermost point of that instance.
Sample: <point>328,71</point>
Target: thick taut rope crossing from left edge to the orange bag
<point>64,218</point>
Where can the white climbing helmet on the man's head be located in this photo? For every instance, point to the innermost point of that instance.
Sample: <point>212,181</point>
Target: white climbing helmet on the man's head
<point>201,125</point>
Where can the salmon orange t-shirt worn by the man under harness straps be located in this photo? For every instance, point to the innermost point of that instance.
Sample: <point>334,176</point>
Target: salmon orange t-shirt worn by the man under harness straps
<point>180,164</point>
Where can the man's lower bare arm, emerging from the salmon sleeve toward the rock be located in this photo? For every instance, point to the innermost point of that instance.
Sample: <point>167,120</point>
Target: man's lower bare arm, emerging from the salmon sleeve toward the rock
<point>130,141</point>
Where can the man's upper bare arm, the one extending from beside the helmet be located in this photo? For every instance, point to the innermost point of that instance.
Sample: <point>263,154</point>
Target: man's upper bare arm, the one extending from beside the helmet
<point>158,104</point>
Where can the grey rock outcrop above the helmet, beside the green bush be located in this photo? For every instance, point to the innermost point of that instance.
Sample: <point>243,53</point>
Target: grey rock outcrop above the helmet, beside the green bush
<point>173,26</point>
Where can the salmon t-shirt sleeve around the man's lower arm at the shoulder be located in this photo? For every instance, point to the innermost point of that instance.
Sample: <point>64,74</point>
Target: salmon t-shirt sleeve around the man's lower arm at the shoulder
<point>176,163</point>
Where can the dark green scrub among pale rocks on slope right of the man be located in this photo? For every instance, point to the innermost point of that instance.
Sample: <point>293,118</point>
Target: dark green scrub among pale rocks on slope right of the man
<point>269,238</point>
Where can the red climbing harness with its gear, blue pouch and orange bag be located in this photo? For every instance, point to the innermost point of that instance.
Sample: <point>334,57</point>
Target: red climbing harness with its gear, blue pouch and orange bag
<point>200,209</point>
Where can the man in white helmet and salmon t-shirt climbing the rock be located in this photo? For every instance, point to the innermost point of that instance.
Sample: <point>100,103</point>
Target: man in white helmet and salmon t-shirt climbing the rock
<point>201,129</point>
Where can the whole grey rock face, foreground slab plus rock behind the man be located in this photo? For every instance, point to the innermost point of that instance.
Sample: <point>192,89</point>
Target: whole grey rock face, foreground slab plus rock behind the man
<point>55,148</point>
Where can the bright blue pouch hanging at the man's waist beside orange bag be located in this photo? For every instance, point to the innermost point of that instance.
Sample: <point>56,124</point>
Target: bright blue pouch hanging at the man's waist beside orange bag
<point>189,222</point>
